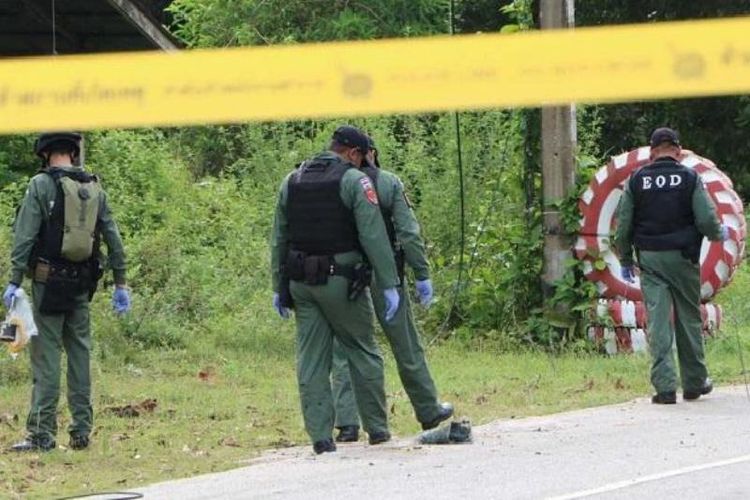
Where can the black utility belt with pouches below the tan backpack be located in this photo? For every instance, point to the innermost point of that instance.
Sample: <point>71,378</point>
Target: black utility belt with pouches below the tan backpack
<point>64,282</point>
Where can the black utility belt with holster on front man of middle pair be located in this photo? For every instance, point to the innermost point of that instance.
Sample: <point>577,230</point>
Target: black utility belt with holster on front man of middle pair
<point>314,270</point>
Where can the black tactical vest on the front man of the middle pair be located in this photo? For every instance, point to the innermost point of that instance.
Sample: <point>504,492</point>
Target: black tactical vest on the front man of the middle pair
<point>319,222</point>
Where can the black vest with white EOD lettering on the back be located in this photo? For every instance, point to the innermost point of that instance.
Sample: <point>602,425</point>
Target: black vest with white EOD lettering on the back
<point>663,216</point>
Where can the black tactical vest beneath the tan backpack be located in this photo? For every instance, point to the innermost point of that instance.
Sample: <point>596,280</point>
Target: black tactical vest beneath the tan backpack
<point>50,242</point>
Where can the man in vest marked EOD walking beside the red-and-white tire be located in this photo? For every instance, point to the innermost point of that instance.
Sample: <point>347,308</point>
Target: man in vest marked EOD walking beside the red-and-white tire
<point>664,213</point>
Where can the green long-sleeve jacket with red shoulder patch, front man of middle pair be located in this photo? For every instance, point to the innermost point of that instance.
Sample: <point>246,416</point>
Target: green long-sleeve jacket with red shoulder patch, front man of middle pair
<point>370,227</point>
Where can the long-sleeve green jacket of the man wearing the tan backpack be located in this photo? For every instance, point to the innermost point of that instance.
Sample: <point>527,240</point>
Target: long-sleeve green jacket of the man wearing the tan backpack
<point>36,208</point>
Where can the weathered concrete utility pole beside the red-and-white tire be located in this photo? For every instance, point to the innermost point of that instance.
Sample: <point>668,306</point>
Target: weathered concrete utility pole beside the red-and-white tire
<point>558,157</point>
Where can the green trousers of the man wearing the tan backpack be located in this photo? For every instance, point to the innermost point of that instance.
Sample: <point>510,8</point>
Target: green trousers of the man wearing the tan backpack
<point>70,331</point>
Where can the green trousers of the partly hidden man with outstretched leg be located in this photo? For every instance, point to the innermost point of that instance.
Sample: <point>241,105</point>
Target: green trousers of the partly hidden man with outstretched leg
<point>415,376</point>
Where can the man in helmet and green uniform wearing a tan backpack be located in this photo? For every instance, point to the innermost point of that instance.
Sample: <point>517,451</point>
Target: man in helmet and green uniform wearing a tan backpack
<point>57,231</point>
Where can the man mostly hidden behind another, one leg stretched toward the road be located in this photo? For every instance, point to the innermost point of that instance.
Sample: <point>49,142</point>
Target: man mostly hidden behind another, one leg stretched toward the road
<point>402,334</point>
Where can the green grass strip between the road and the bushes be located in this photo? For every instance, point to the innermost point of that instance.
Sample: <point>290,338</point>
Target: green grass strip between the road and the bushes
<point>224,401</point>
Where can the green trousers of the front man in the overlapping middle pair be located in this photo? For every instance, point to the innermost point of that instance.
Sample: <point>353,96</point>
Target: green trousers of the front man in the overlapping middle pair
<point>323,313</point>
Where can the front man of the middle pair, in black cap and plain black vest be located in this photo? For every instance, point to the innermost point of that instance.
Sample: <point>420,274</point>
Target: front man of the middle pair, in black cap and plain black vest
<point>327,225</point>
